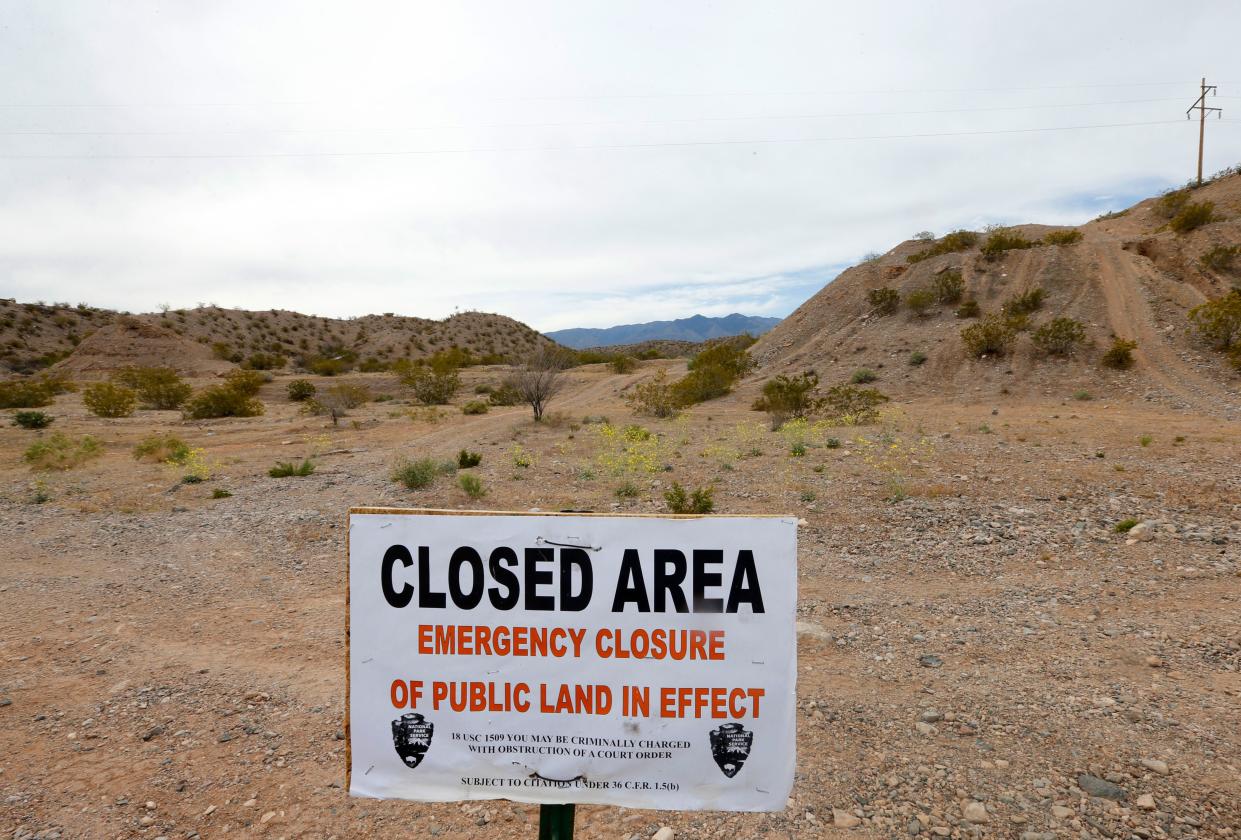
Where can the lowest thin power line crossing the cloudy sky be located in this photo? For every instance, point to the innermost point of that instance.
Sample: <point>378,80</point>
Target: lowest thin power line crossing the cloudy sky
<point>586,147</point>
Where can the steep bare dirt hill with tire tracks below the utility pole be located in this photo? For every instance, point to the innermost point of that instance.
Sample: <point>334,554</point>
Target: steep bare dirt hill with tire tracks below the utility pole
<point>1129,277</point>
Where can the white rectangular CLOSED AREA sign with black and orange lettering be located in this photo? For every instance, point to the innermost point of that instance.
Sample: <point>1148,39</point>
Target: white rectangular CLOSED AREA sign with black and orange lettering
<point>622,661</point>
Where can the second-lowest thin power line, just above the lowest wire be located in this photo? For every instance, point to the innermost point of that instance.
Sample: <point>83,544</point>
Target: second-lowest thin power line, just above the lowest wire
<point>575,125</point>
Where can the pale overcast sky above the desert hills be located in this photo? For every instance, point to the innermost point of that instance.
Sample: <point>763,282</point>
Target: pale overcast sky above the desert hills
<point>574,163</point>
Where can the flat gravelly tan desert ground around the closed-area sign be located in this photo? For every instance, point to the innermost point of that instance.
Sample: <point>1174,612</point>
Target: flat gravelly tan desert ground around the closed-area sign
<point>982,653</point>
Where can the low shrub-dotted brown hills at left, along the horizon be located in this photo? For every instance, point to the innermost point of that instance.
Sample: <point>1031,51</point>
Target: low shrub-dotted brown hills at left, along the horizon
<point>35,336</point>
